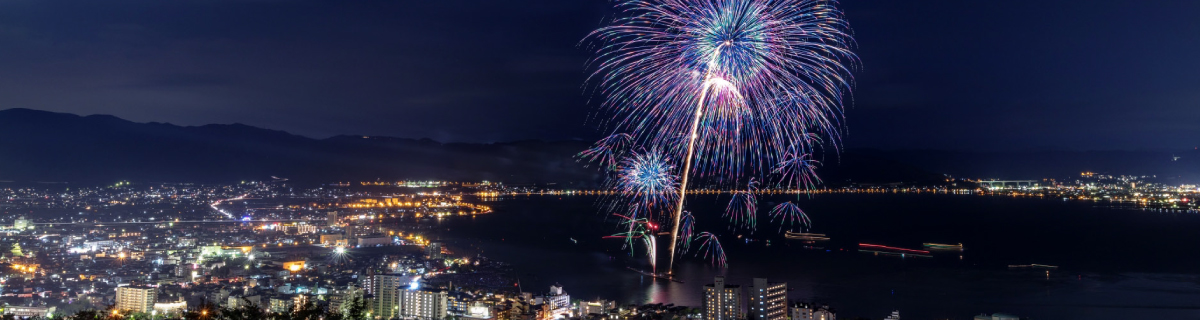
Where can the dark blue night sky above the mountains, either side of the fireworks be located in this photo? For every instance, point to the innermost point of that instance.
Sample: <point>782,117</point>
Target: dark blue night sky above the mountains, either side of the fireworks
<point>937,75</point>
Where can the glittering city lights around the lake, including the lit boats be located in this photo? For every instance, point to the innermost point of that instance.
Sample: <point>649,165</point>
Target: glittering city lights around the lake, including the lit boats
<point>368,250</point>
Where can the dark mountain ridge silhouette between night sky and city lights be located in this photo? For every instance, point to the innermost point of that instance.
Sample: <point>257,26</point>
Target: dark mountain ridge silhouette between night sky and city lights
<point>39,146</point>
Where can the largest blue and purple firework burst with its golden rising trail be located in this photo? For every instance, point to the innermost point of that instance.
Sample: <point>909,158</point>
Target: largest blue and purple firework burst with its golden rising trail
<point>743,82</point>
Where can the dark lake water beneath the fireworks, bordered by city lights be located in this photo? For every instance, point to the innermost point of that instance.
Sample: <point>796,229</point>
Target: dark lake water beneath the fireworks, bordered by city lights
<point>1113,263</point>
